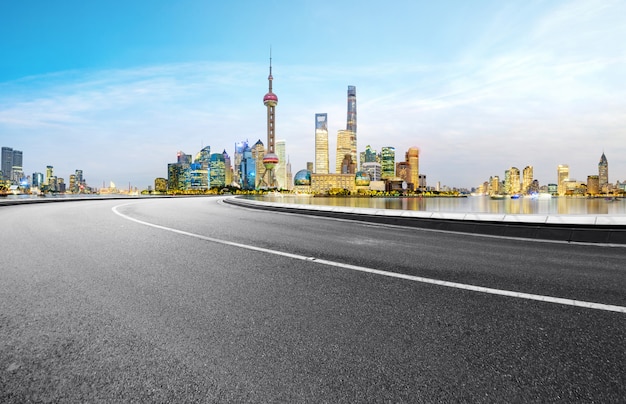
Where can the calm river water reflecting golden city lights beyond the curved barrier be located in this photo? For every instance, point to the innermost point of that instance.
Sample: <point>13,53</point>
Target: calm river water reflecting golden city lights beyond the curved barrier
<point>470,204</point>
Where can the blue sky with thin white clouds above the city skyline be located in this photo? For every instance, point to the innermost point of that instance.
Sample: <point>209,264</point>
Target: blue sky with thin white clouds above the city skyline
<point>117,88</point>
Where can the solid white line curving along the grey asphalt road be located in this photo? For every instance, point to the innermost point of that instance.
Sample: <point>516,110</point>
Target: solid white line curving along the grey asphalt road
<point>501,292</point>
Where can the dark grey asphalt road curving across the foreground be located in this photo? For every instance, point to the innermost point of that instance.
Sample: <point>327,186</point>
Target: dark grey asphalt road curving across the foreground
<point>162,300</point>
